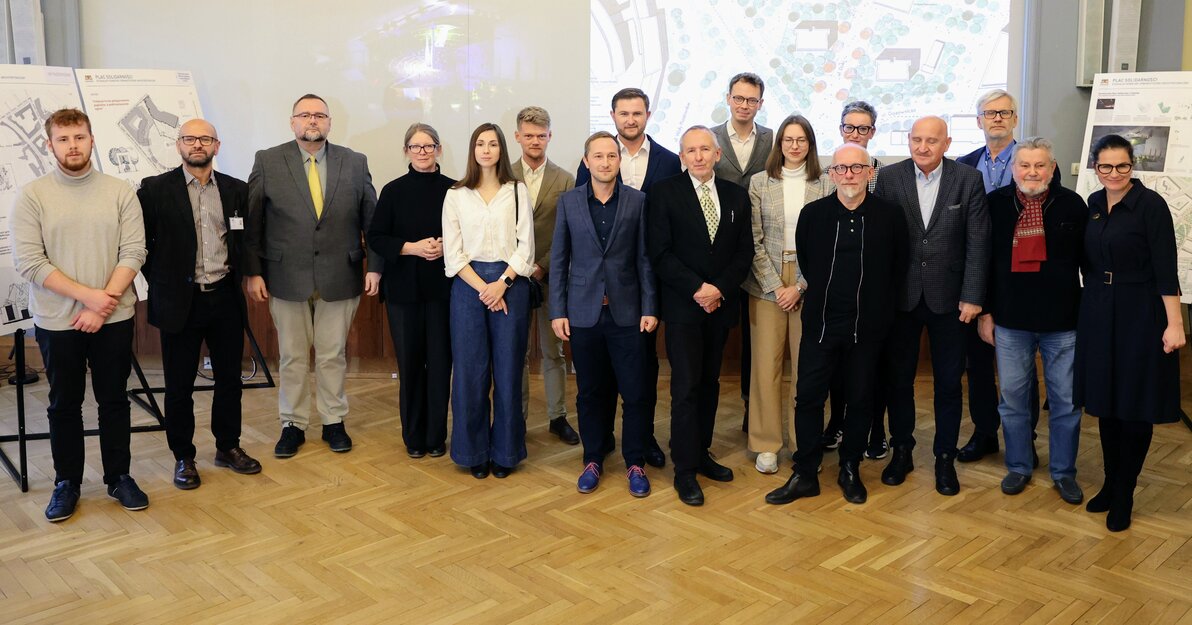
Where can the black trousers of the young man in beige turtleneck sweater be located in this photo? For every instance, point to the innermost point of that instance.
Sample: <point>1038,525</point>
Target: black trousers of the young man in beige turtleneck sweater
<point>67,355</point>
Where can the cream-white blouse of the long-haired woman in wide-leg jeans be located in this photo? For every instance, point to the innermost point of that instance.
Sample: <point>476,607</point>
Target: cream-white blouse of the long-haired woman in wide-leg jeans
<point>487,233</point>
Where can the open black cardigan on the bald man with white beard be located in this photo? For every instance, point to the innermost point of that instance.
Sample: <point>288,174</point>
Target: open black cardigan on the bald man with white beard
<point>884,257</point>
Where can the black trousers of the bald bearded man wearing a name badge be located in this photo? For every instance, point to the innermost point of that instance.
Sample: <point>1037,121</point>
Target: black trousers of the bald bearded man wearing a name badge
<point>215,318</point>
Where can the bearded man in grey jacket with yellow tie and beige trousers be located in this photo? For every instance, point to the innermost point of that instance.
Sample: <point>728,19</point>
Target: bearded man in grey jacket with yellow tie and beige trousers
<point>311,205</point>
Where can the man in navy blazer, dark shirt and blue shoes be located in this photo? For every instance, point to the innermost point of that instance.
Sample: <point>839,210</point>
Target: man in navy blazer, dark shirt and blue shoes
<point>604,301</point>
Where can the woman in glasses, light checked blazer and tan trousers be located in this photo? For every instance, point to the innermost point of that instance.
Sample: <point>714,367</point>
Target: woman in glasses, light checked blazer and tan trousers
<point>793,177</point>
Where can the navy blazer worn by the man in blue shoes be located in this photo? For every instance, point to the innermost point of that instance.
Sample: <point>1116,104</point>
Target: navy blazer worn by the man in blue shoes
<point>582,273</point>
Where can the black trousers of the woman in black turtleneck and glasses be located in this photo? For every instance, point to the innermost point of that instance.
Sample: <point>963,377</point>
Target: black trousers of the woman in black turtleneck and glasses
<point>423,343</point>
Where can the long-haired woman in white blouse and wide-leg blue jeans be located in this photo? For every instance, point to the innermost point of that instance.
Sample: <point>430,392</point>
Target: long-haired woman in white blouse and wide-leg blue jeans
<point>489,250</point>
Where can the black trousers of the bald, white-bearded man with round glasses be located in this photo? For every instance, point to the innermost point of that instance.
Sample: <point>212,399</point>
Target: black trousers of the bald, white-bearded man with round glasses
<point>821,362</point>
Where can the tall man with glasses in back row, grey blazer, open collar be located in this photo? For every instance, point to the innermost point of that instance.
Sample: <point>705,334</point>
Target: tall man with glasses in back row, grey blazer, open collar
<point>748,145</point>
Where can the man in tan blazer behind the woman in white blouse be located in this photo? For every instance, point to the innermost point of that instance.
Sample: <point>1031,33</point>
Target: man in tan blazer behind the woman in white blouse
<point>545,182</point>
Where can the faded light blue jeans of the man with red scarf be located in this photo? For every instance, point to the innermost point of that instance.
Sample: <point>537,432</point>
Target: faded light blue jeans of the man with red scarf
<point>1016,363</point>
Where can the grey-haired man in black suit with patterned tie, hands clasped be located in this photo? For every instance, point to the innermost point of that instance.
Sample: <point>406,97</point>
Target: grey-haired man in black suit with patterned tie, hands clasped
<point>701,247</point>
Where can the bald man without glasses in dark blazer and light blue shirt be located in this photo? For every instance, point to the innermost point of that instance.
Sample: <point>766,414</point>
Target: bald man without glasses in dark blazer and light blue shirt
<point>948,221</point>
